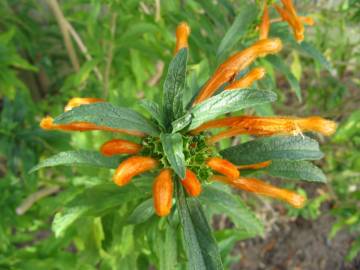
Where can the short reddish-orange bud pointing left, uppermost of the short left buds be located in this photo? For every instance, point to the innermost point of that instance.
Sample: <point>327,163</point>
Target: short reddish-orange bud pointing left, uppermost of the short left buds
<point>116,147</point>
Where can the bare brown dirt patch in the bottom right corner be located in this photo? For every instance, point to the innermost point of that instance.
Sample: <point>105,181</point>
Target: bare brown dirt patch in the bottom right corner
<point>298,245</point>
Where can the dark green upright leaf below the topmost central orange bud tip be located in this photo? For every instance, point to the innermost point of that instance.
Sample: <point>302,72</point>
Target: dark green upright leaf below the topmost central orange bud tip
<point>174,87</point>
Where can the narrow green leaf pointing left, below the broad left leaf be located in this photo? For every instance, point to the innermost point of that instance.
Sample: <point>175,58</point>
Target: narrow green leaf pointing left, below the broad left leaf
<point>80,157</point>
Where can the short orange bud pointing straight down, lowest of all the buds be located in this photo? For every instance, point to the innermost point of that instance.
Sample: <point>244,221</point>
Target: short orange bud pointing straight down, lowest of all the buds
<point>163,193</point>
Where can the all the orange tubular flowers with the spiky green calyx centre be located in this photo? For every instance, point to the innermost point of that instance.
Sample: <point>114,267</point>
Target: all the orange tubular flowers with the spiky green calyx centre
<point>208,165</point>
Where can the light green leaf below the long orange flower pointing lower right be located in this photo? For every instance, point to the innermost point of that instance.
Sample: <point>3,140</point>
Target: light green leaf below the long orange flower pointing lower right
<point>231,205</point>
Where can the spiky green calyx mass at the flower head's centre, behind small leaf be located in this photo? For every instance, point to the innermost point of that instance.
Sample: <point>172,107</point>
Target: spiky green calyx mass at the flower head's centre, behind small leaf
<point>195,150</point>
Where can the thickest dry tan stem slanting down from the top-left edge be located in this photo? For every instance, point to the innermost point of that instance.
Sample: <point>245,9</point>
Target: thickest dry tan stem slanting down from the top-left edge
<point>54,6</point>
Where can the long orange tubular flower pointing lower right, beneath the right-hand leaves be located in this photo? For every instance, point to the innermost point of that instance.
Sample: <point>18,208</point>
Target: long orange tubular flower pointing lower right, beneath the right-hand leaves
<point>259,187</point>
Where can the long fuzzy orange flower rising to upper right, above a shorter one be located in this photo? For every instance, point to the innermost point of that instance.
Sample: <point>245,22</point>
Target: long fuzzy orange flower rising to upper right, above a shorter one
<point>237,62</point>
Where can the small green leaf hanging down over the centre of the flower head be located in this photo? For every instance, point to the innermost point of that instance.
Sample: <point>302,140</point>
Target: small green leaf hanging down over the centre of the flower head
<point>173,149</point>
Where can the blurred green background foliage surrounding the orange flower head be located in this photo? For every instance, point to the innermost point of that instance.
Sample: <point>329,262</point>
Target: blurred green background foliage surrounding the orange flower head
<point>51,51</point>
